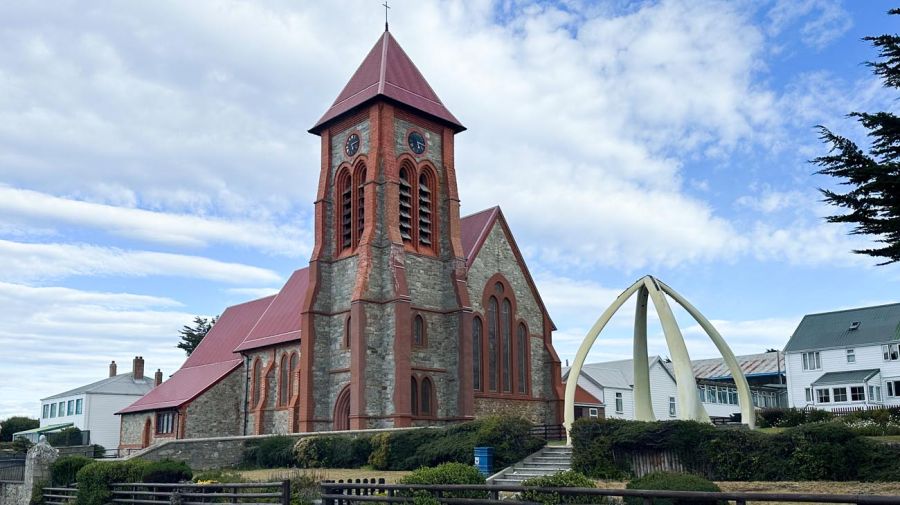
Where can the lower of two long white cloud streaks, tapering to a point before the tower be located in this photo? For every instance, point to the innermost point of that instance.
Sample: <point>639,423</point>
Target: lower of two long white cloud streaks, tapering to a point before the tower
<point>24,262</point>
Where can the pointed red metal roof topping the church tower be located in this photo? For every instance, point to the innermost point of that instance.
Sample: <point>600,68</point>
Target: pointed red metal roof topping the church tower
<point>387,71</point>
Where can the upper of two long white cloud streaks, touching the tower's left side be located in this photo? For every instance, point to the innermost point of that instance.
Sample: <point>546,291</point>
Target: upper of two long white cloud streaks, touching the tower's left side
<point>157,227</point>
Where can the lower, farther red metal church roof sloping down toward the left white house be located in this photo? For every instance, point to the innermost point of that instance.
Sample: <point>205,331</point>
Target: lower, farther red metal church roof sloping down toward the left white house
<point>213,359</point>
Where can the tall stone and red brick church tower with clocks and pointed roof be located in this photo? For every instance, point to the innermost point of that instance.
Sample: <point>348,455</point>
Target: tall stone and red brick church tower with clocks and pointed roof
<point>385,319</point>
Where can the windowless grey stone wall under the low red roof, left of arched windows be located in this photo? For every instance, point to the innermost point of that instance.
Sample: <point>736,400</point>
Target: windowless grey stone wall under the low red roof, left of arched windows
<point>218,411</point>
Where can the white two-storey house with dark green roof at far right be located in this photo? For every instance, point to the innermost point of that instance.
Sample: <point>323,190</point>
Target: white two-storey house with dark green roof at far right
<point>845,359</point>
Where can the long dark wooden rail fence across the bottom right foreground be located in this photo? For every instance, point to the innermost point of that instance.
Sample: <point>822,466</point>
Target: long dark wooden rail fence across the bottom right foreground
<point>351,494</point>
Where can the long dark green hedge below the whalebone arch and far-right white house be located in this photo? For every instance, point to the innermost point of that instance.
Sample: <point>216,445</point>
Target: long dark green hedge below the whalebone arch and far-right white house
<point>818,451</point>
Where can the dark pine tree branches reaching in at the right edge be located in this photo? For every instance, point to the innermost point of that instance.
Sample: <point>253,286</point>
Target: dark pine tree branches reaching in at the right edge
<point>873,200</point>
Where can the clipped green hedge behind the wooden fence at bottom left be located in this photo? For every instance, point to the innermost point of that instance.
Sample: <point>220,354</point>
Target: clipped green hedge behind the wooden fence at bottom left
<point>94,480</point>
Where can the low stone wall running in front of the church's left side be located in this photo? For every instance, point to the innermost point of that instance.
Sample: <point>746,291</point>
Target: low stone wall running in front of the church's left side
<point>225,452</point>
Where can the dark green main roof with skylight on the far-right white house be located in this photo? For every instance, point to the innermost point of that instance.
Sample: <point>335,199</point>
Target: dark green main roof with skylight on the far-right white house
<point>833,329</point>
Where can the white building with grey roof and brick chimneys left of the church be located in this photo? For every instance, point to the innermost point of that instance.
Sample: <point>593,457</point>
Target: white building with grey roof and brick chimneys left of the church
<point>92,407</point>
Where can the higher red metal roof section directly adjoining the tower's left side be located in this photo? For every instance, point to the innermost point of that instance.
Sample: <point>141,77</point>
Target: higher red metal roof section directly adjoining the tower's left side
<point>281,321</point>
